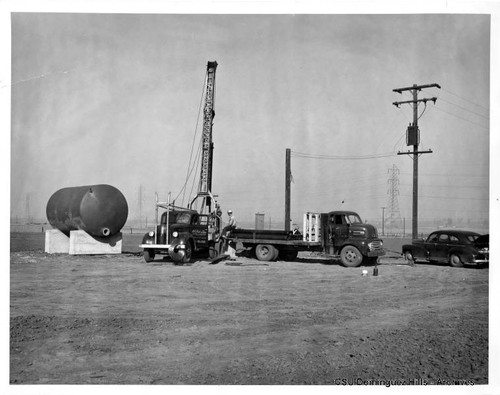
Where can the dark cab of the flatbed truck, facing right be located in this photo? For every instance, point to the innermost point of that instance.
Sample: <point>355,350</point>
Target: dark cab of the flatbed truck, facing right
<point>344,233</point>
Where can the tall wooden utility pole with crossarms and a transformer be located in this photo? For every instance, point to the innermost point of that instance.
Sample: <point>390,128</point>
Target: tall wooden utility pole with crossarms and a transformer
<point>413,138</point>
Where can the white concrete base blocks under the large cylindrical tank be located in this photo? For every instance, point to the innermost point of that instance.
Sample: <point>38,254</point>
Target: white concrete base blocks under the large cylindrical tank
<point>80,242</point>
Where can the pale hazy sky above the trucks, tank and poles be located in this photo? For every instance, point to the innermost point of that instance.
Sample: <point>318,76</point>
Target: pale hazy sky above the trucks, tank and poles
<point>114,98</point>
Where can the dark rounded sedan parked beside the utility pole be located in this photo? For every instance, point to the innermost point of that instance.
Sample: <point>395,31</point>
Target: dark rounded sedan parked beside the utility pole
<point>456,247</point>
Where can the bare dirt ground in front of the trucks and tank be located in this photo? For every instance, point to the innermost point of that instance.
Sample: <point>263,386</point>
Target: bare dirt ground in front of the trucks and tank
<point>117,320</point>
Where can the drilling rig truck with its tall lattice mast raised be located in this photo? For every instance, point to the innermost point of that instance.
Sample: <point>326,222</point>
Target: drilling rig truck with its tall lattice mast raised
<point>180,232</point>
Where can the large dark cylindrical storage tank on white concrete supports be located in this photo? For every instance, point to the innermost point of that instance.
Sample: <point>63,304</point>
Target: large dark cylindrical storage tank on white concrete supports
<point>99,210</point>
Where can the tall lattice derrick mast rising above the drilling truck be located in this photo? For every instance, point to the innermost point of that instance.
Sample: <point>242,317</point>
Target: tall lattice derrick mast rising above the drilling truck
<point>205,185</point>
